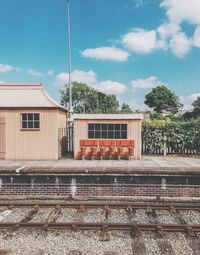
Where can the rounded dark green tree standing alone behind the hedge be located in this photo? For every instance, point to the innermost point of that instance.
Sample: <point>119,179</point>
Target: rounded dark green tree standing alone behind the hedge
<point>161,99</point>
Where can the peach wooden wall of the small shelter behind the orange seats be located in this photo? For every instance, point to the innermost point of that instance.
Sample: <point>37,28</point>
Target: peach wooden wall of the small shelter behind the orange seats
<point>134,133</point>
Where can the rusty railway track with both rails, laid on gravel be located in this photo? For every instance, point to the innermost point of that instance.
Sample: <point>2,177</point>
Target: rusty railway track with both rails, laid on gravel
<point>26,222</point>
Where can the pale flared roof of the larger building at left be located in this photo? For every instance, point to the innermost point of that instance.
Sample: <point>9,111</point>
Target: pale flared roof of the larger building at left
<point>26,96</point>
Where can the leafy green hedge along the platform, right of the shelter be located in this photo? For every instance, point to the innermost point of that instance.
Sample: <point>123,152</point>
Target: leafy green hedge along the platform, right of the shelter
<point>176,137</point>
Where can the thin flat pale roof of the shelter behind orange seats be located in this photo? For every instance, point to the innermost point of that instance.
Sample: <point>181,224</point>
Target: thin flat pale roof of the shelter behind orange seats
<point>108,116</point>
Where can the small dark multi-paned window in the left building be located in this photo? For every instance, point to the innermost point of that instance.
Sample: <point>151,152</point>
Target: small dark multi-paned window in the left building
<point>30,120</point>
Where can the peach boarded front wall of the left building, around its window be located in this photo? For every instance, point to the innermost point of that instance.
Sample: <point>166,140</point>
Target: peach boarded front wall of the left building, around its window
<point>30,145</point>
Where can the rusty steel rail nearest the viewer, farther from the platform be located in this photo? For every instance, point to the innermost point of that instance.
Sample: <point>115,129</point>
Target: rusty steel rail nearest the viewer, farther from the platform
<point>103,226</point>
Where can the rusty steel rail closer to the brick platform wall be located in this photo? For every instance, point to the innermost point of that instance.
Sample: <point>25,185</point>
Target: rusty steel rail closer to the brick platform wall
<point>107,206</point>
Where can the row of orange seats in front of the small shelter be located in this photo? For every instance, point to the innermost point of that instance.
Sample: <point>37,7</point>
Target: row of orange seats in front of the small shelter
<point>106,149</point>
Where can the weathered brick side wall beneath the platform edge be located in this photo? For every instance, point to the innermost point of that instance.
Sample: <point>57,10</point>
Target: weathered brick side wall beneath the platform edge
<point>99,185</point>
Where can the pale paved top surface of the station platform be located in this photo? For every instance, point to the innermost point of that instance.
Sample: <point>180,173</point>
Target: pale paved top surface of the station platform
<point>146,164</point>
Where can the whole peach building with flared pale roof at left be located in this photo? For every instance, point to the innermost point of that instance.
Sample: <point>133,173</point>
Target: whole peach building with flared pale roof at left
<point>29,123</point>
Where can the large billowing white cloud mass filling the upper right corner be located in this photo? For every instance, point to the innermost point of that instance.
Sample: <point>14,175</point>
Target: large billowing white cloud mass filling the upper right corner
<point>168,35</point>
